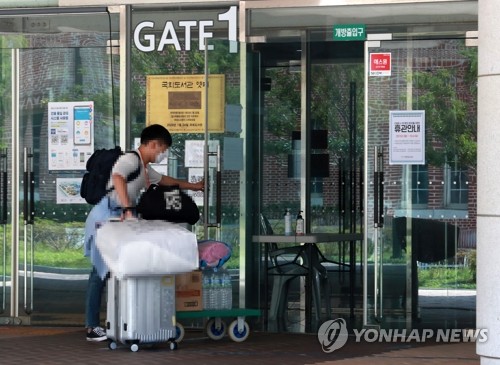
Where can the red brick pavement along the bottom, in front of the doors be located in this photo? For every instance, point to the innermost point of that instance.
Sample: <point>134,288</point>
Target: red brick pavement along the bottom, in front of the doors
<point>45,345</point>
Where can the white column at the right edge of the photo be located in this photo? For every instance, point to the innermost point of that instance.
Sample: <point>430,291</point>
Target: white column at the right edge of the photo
<point>488,187</point>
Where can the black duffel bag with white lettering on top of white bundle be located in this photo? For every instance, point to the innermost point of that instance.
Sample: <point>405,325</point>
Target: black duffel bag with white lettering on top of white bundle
<point>167,203</point>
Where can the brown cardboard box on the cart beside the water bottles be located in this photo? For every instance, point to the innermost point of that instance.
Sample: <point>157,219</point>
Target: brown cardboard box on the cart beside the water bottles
<point>188,296</point>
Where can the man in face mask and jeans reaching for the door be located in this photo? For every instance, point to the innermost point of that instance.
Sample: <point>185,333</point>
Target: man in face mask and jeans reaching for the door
<point>120,202</point>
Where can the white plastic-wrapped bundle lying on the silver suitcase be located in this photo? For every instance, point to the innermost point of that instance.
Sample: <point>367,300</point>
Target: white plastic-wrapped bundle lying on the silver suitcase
<point>138,247</point>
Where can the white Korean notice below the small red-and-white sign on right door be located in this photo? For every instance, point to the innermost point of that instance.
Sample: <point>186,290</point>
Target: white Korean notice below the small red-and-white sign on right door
<point>407,137</point>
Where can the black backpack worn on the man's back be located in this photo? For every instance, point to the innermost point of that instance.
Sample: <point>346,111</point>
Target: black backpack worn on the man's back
<point>99,166</point>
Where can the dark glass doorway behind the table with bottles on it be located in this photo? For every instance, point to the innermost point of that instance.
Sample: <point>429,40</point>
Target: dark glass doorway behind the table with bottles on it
<point>310,147</point>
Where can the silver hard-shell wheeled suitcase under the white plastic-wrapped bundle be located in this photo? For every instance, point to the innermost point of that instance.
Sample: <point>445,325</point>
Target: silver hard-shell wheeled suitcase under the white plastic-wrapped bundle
<point>141,310</point>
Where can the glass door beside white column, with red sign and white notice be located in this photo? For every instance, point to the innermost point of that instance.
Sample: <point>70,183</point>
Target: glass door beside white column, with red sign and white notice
<point>420,128</point>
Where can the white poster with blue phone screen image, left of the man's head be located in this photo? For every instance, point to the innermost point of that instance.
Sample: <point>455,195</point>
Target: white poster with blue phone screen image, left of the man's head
<point>71,134</point>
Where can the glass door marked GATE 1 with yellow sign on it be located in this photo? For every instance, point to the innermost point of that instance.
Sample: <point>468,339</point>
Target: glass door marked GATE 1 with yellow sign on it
<point>196,83</point>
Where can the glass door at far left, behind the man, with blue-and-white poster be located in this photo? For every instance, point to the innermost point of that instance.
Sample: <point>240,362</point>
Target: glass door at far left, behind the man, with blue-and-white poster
<point>57,106</point>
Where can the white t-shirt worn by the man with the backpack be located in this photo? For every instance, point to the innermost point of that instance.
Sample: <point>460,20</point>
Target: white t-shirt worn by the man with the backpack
<point>125,166</point>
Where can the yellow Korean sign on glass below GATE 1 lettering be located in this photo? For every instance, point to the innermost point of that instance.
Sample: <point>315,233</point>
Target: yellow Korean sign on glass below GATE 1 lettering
<point>178,102</point>
